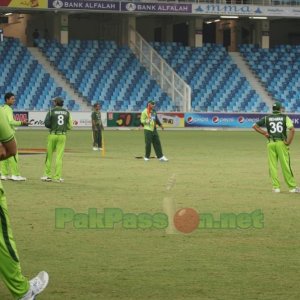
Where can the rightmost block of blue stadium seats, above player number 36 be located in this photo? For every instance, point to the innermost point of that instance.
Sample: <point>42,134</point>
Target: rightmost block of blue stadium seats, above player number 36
<point>279,69</point>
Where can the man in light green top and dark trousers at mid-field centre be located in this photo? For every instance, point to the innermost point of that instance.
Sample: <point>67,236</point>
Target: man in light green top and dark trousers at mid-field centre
<point>150,120</point>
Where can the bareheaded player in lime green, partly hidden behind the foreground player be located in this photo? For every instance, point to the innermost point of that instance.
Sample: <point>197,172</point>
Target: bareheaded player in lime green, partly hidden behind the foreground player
<point>11,165</point>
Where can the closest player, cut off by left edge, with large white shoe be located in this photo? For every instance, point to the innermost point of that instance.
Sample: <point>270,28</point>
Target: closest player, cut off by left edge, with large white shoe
<point>10,268</point>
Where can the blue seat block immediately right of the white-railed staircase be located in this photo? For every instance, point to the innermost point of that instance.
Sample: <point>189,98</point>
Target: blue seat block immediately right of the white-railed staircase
<point>217,83</point>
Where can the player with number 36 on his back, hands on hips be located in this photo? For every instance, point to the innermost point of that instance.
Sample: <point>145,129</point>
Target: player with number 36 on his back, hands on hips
<point>278,141</point>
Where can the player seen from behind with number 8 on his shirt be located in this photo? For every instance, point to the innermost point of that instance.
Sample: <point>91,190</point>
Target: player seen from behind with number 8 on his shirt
<point>58,120</point>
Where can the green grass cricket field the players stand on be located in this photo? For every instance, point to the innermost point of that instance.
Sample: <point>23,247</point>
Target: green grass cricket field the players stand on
<point>215,171</point>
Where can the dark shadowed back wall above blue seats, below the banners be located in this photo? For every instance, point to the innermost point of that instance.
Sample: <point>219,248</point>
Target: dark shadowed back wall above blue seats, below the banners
<point>114,26</point>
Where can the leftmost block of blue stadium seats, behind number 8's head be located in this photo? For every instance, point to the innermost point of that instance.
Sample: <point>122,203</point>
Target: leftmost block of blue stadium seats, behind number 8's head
<point>27,79</point>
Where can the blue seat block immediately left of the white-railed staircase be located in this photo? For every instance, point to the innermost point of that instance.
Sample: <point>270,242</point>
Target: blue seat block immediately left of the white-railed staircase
<point>103,72</point>
